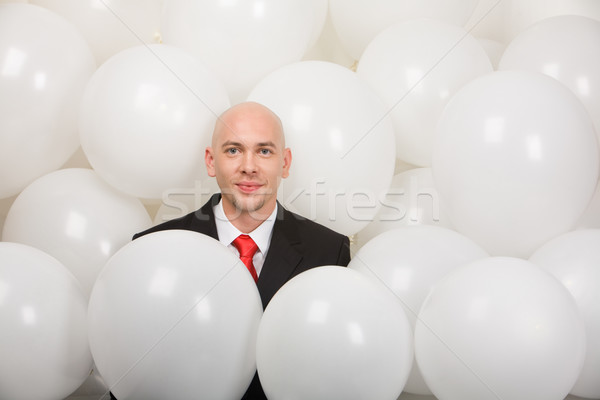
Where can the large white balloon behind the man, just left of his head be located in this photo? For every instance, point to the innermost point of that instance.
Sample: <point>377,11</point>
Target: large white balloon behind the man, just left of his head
<point>146,117</point>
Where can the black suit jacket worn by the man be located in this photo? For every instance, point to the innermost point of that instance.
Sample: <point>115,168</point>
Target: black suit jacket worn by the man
<point>297,245</point>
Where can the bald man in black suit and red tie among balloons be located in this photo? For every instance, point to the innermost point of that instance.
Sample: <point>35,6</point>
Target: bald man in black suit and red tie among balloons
<point>248,157</point>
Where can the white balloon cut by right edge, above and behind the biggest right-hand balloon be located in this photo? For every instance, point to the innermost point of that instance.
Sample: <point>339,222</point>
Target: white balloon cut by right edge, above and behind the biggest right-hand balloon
<point>548,47</point>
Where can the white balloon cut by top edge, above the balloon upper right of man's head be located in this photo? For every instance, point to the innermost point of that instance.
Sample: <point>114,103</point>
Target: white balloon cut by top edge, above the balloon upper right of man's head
<point>357,22</point>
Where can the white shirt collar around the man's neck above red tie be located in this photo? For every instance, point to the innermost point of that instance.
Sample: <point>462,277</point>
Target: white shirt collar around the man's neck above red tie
<point>227,232</point>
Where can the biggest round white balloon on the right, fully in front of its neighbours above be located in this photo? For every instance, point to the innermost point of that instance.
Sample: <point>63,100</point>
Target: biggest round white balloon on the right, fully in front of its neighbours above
<point>515,161</point>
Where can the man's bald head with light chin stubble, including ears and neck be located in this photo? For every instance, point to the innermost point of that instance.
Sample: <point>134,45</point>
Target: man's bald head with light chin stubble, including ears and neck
<point>248,159</point>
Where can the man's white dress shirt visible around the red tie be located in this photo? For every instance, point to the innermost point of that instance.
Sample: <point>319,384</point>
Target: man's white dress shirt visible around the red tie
<point>261,235</point>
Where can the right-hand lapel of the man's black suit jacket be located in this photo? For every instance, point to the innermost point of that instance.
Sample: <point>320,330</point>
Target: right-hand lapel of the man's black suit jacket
<point>284,255</point>
